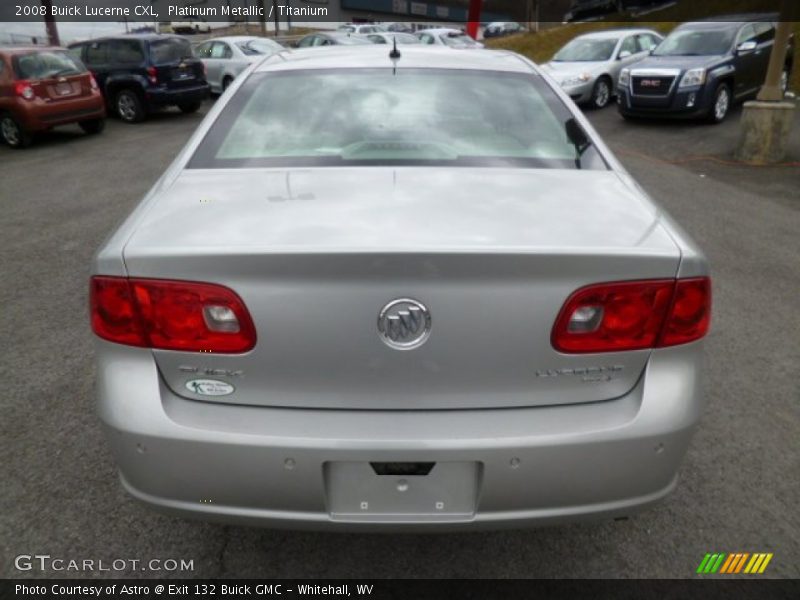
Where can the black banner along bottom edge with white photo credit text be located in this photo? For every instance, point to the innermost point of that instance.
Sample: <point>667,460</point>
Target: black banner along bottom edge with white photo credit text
<point>418,589</point>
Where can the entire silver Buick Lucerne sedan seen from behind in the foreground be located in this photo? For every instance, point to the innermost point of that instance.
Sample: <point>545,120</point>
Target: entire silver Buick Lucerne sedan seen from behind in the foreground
<point>413,292</point>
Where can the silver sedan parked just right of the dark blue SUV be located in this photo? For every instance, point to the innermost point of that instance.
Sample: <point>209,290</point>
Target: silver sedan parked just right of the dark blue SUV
<point>224,58</point>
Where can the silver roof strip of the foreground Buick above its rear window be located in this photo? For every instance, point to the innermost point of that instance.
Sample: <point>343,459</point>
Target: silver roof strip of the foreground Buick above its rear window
<point>377,56</point>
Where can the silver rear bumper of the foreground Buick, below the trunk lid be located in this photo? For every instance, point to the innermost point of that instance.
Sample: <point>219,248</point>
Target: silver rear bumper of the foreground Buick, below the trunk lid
<point>267,466</point>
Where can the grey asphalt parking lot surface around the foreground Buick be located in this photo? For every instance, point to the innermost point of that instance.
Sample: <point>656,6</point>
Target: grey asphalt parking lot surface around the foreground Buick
<point>739,486</point>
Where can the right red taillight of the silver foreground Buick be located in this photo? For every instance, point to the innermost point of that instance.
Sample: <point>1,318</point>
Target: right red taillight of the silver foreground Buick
<point>632,315</point>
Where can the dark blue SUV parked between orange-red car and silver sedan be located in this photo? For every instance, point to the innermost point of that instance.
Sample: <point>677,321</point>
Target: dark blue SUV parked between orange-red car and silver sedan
<point>142,73</point>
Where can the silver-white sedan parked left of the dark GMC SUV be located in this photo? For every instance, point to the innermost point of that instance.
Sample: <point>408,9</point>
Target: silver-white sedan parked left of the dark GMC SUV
<point>588,67</point>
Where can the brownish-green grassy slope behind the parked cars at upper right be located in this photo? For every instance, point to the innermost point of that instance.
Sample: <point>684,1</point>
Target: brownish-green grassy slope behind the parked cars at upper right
<point>540,47</point>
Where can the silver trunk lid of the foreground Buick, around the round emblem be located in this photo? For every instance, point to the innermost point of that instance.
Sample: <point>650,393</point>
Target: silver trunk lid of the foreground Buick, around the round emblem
<point>316,254</point>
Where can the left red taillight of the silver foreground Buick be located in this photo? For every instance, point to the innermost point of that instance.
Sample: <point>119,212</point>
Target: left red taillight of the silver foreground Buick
<point>171,315</point>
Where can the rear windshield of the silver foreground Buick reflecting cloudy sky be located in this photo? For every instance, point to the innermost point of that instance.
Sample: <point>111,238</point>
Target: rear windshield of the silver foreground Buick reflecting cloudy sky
<point>374,117</point>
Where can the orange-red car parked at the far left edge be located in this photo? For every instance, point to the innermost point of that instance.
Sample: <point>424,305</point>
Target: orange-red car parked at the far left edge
<point>41,88</point>
